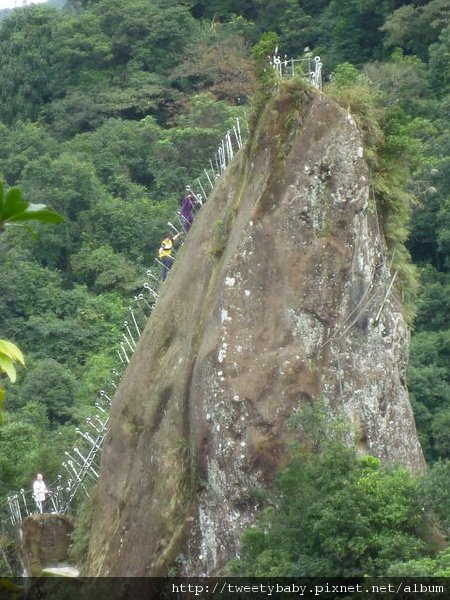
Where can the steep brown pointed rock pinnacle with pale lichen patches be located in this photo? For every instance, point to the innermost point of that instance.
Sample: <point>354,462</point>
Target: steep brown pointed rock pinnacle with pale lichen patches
<point>280,295</point>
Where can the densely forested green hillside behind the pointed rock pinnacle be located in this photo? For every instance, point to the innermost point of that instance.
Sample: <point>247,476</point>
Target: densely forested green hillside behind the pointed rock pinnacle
<point>108,108</point>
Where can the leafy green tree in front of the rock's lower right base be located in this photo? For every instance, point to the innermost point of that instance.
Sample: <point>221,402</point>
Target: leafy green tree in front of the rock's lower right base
<point>334,514</point>
